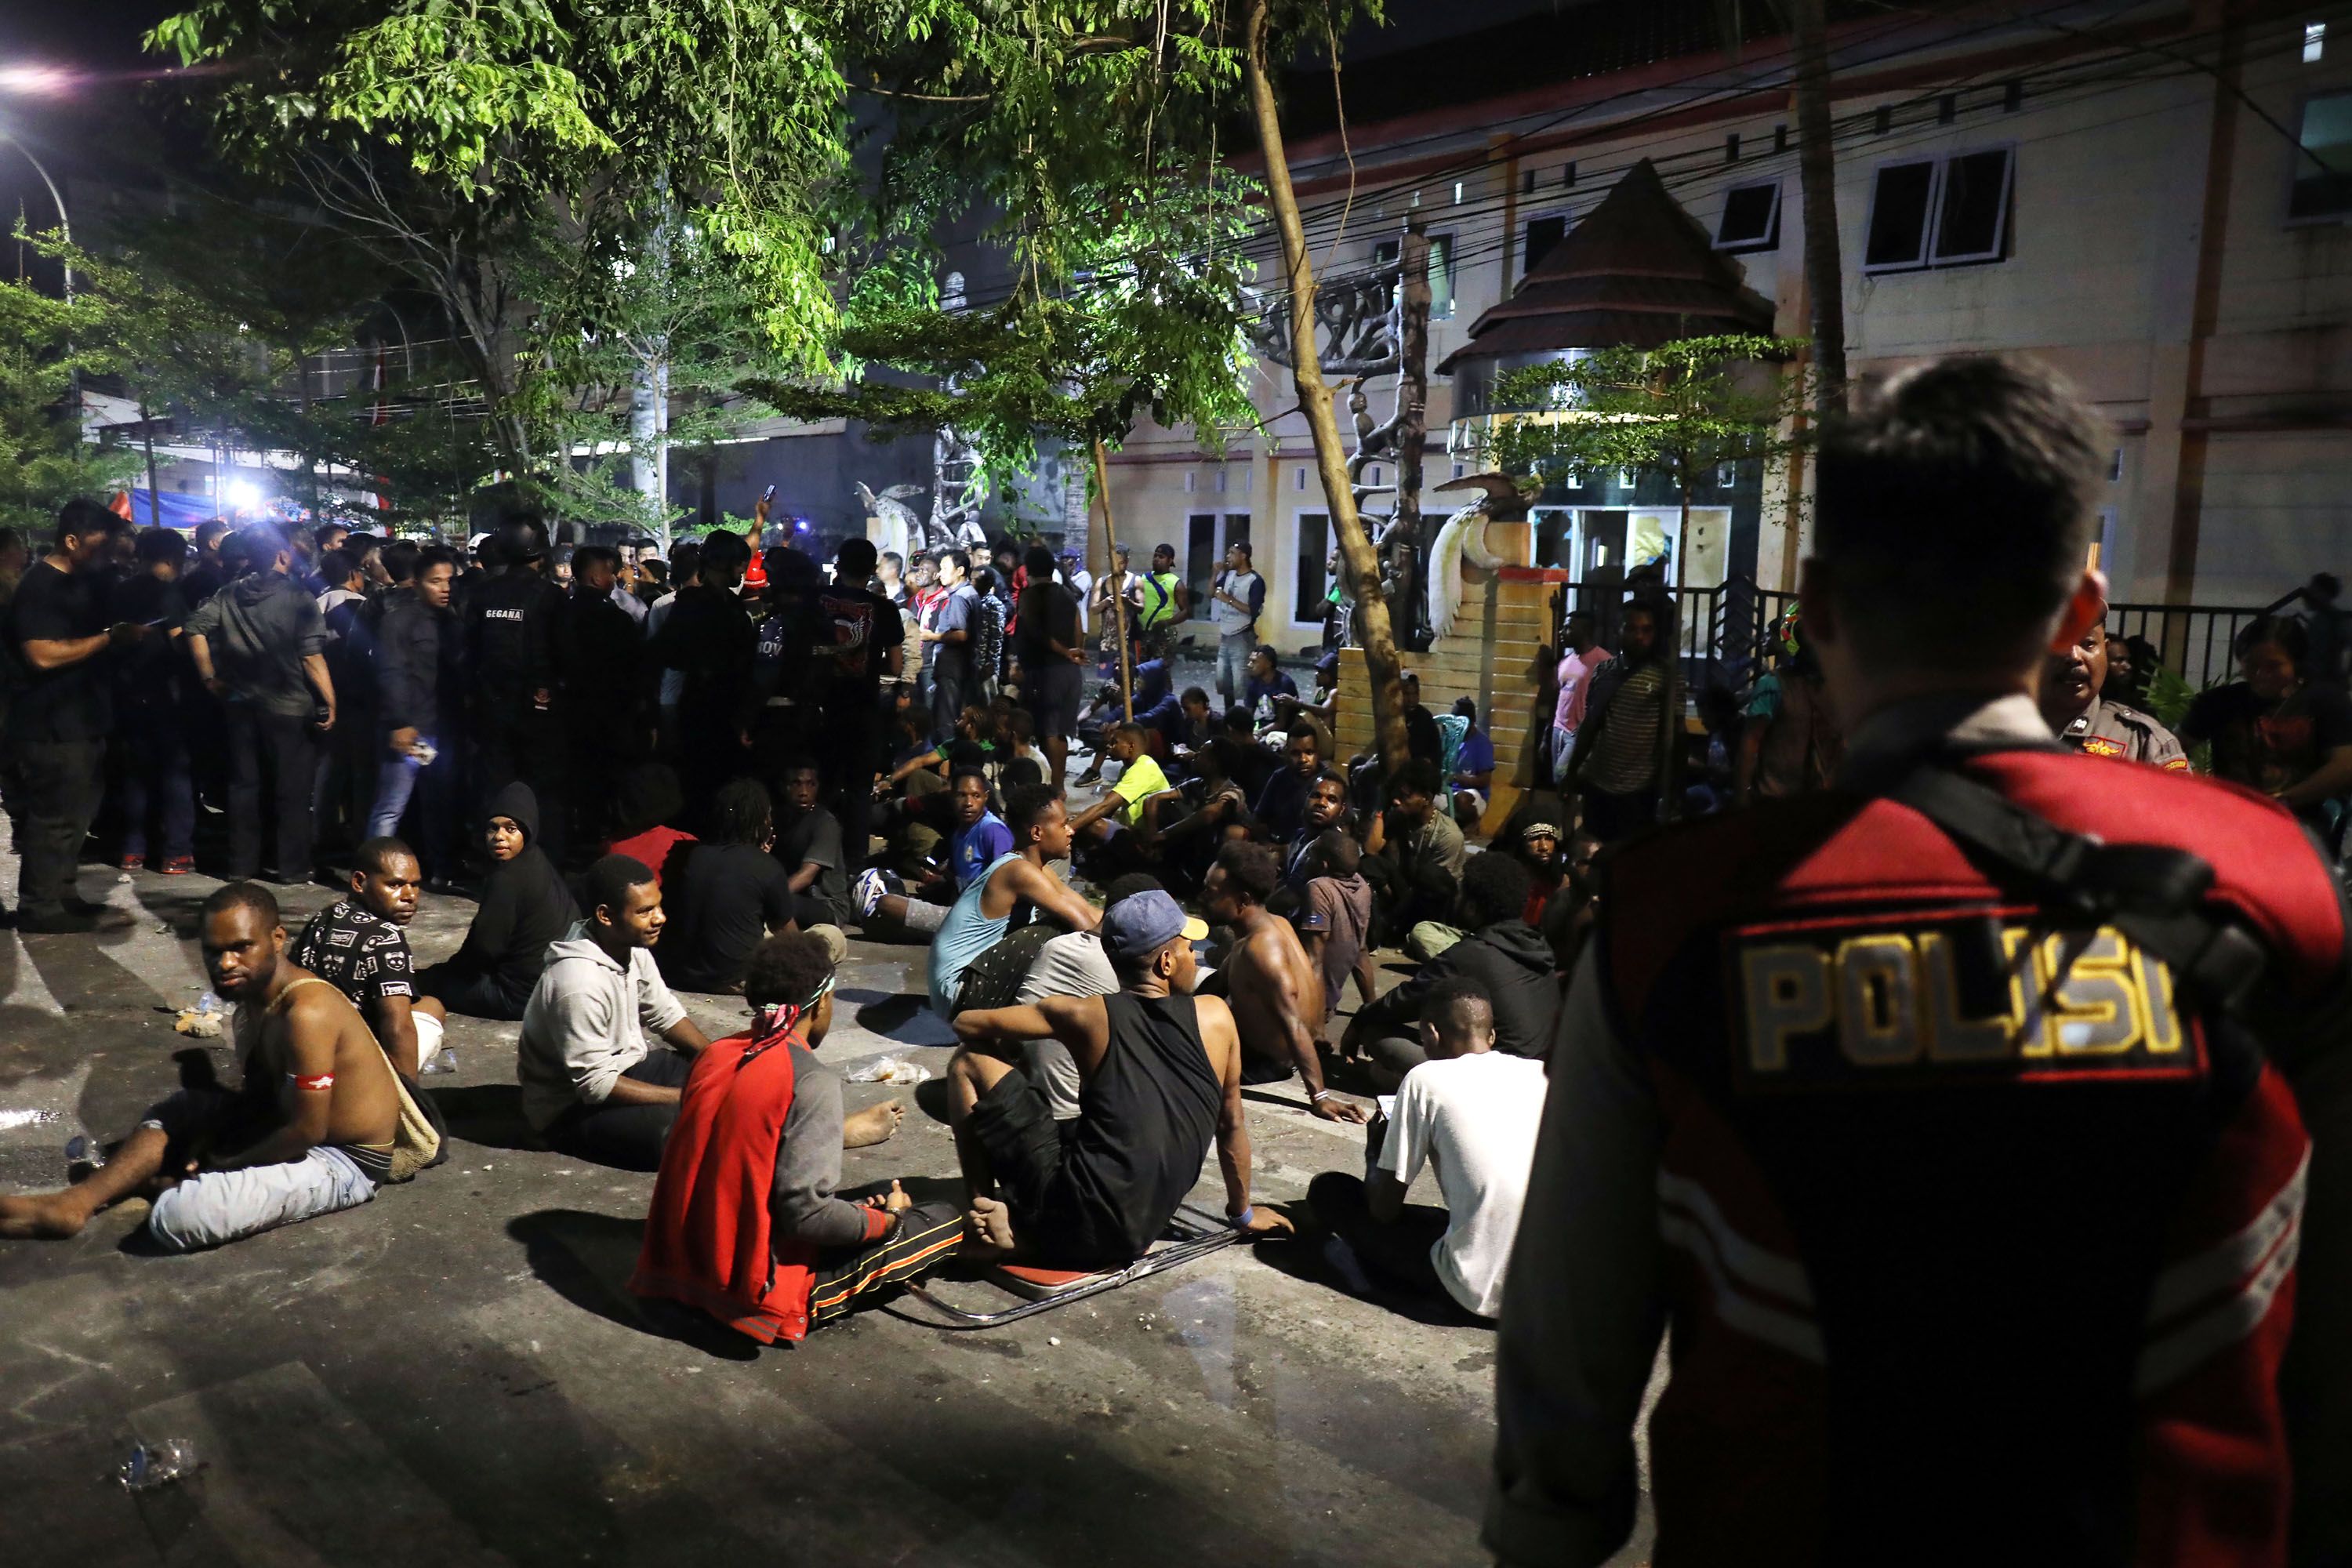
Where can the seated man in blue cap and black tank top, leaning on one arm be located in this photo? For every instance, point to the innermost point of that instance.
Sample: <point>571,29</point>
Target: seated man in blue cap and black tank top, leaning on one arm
<point>1161,1073</point>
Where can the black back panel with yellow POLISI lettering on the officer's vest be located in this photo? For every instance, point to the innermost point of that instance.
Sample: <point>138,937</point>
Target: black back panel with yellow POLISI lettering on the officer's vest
<point>1937,996</point>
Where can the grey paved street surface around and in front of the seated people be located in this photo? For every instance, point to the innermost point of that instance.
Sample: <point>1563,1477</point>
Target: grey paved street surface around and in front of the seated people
<point>455,1374</point>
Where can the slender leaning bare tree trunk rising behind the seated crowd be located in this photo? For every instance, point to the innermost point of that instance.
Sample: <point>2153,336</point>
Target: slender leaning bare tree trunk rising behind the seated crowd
<point>1316,403</point>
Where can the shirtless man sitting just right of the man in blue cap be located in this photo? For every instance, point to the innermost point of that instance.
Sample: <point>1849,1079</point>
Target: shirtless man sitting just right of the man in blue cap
<point>1274,986</point>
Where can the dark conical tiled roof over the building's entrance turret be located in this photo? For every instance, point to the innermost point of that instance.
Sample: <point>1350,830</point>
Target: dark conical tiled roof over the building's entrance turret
<point>1638,272</point>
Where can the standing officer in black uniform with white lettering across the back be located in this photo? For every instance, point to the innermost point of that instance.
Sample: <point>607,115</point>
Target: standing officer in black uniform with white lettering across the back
<point>514,638</point>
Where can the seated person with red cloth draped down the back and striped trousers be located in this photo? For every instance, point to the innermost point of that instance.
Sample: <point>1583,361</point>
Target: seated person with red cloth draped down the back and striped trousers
<point>761,1115</point>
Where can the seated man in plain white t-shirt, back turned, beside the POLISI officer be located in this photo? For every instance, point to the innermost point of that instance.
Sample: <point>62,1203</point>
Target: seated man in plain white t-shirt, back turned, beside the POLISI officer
<point>1474,1113</point>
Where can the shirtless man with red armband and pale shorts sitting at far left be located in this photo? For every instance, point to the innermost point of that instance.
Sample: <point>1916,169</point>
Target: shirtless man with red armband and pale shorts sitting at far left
<point>312,1130</point>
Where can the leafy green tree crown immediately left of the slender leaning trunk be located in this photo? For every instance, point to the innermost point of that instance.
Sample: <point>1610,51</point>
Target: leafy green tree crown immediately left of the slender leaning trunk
<point>1081,142</point>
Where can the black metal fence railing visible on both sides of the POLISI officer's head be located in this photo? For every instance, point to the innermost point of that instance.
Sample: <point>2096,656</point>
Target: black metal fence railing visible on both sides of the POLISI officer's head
<point>1723,631</point>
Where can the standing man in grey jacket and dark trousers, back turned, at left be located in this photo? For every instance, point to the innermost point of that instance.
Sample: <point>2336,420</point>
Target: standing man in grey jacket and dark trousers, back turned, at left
<point>260,645</point>
